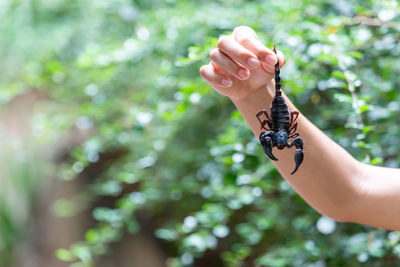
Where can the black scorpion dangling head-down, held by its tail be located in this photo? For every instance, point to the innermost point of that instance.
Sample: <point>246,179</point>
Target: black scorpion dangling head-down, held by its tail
<point>282,126</point>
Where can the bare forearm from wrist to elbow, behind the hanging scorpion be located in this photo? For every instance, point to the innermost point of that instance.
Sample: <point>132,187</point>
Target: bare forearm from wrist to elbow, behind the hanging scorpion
<point>328,178</point>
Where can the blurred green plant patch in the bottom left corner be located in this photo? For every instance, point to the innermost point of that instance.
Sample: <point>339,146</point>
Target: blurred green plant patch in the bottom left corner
<point>20,175</point>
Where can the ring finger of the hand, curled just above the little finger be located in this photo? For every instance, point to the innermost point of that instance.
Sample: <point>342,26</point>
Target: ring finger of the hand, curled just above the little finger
<point>228,65</point>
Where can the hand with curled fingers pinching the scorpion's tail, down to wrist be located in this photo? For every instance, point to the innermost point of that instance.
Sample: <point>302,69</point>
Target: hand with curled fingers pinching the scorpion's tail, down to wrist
<point>240,65</point>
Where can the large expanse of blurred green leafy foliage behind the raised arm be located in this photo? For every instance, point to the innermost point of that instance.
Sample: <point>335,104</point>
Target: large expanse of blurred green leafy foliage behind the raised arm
<point>128,70</point>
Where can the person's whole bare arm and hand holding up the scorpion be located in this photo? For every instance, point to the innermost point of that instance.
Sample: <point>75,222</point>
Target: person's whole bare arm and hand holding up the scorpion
<point>329,179</point>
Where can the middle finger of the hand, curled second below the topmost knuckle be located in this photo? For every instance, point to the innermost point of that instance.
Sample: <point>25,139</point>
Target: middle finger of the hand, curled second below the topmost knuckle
<point>229,46</point>
